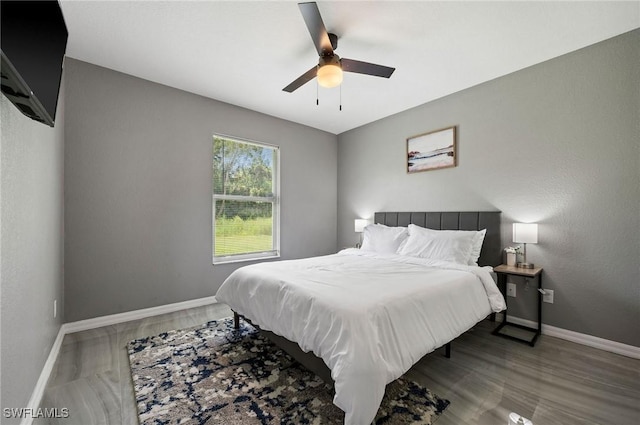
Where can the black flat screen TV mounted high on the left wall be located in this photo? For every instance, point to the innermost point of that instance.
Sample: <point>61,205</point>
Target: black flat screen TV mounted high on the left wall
<point>33,38</point>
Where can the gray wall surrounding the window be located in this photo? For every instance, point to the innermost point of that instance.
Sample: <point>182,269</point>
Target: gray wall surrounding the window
<point>138,190</point>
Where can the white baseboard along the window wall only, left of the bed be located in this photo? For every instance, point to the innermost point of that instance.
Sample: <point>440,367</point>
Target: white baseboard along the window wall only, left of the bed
<point>114,319</point>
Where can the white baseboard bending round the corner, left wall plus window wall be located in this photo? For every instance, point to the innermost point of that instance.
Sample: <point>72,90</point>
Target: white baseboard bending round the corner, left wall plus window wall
<point>97,322</point>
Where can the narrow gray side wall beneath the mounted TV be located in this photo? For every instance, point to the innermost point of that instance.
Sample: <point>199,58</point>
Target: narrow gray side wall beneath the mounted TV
<point>31,250</point>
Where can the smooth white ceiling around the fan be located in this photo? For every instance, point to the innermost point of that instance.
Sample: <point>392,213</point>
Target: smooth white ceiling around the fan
<point>244,53</point>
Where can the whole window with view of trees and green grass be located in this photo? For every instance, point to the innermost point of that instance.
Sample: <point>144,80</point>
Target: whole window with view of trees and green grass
<point>246,206</point>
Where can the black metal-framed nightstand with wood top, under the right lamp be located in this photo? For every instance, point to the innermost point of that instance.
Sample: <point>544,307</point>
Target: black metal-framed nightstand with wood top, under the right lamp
<point>502,272</point>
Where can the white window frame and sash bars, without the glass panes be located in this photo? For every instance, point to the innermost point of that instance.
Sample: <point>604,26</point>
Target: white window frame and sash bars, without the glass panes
<point>274,199</point>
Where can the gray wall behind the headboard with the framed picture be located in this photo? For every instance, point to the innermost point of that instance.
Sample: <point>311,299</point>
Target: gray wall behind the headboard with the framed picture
<point>557,143</point>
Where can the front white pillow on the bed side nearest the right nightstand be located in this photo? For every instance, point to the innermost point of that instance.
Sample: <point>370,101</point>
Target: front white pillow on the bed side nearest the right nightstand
<point>446,245</point>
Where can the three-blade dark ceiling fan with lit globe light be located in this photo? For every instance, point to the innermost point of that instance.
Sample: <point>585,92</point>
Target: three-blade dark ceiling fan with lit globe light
<point>330,66</point>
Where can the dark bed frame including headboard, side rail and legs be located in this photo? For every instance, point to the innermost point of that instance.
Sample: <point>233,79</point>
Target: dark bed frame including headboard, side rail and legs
<point>490,255</point>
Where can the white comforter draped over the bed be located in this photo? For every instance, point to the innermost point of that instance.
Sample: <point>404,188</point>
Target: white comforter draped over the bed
<point>370,317</point>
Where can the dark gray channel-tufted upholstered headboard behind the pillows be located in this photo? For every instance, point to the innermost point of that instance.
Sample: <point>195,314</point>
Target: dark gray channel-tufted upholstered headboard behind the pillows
<point>491,254</point>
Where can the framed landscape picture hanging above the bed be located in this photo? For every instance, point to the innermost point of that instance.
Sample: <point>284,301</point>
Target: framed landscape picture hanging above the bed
<point>432,151</point>
